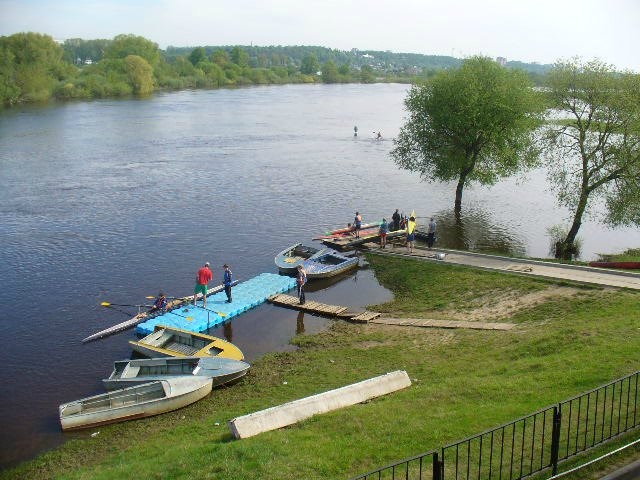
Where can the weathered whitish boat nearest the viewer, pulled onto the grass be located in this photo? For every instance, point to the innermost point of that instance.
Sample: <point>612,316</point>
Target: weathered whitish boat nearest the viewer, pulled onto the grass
<point>134,402</point>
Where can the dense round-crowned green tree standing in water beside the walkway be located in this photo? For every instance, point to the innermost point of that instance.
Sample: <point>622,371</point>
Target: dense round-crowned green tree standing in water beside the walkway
<point>470,124</point>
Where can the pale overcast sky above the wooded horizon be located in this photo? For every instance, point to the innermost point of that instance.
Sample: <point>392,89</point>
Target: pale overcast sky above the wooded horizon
<point>540,31</point>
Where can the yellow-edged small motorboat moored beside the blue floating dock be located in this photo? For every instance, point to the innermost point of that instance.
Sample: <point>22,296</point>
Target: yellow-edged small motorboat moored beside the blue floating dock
<point>175,342</point>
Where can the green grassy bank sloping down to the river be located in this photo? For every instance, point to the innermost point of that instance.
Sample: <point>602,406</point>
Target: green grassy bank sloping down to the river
<point>464,382</point>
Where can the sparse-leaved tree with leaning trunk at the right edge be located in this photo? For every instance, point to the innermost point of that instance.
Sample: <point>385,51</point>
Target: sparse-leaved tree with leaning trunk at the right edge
<point>594,147</point>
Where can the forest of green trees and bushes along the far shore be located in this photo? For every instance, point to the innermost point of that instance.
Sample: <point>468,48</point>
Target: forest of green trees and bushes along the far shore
<point>35,68</point>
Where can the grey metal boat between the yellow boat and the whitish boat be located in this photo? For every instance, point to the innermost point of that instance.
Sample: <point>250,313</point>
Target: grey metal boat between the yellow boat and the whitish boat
<point>127,373</point>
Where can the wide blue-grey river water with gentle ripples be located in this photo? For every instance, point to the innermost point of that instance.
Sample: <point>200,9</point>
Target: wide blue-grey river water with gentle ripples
<point>114,200</point>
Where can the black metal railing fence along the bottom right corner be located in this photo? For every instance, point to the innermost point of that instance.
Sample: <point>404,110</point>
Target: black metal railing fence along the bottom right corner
<point>530,444</point>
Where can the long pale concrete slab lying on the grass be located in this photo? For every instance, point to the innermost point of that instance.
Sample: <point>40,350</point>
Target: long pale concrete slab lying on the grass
<point>292,412</point>
